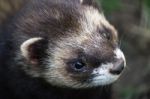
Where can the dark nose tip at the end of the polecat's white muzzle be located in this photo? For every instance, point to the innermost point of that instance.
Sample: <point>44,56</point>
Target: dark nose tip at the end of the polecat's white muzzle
<point>118,67</point>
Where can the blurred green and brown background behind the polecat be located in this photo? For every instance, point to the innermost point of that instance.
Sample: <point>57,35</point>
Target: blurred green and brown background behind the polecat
<point>132,20</point>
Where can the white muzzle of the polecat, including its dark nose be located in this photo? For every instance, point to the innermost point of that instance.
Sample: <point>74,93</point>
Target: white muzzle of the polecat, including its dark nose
<point>109,72</point>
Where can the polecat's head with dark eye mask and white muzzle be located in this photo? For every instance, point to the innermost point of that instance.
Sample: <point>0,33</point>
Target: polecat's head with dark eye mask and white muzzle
<point>70,44</point>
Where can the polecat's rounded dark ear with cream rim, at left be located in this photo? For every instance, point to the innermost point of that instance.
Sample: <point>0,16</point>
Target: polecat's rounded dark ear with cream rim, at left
<point>34,49</point>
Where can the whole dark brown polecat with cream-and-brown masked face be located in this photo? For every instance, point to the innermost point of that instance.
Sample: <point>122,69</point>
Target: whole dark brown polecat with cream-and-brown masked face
<point>60,49</point>
